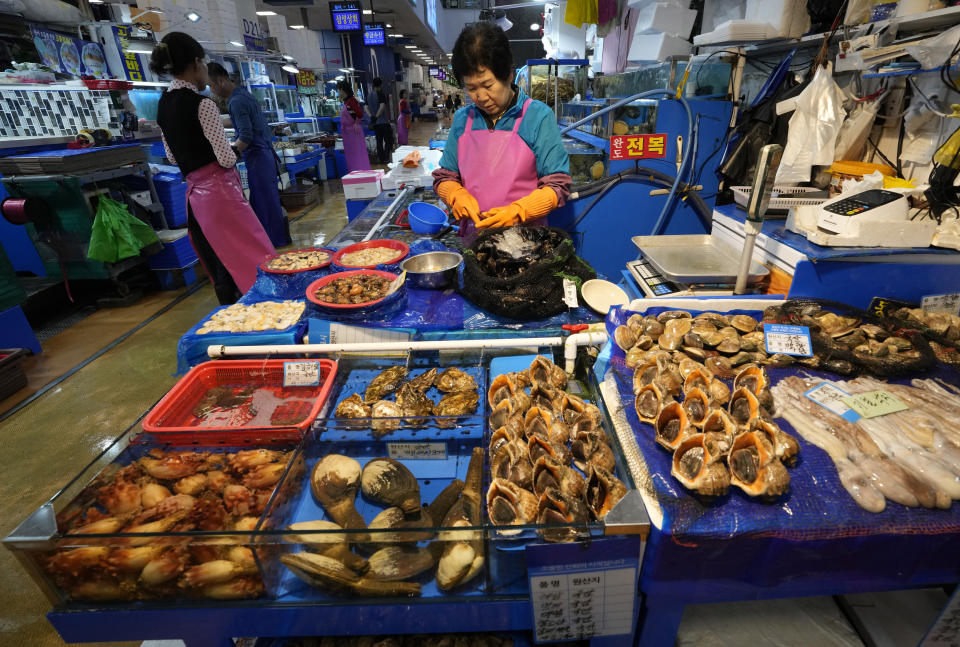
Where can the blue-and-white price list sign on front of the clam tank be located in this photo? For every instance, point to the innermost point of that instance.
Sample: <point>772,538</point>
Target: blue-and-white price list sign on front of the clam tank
<point>583,597</point>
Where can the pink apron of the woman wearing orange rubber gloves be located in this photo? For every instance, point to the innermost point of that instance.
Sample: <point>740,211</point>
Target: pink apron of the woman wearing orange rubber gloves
<point>497,167</point>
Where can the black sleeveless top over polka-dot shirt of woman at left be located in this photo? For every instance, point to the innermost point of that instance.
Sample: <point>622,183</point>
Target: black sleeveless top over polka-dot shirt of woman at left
<point>178,119</point>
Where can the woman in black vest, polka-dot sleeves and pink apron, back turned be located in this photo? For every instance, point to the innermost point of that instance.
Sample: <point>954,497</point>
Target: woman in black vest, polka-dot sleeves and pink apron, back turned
<point>224,230</point>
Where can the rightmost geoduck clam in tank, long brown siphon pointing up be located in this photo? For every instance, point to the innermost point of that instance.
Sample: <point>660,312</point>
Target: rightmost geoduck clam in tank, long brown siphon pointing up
<point>462,555</point>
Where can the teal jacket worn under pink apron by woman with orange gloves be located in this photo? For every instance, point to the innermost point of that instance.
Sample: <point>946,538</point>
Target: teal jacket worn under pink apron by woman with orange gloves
<point>538,130</point>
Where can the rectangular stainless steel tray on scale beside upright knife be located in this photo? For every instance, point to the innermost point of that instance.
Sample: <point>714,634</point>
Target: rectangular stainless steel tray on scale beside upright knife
<point>696,259</point>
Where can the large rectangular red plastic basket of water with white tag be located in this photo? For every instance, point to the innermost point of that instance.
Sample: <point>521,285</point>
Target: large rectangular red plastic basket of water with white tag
<point>174,419</point>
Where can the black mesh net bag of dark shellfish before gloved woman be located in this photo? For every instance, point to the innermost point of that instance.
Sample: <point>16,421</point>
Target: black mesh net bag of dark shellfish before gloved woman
<point>518,272</point>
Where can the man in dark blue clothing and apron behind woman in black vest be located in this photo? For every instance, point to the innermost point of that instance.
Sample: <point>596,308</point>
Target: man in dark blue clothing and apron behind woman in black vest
<point>253,143</point>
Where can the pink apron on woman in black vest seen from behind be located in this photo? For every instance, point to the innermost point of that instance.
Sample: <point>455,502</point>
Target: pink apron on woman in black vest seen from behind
<point>215,196</point>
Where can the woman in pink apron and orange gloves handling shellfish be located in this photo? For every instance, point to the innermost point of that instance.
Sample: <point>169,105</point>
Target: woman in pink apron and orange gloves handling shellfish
<point>504,163</point>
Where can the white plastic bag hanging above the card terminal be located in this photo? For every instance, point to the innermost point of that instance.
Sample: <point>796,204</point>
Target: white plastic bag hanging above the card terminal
<point>813,129</point>
